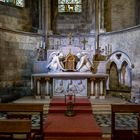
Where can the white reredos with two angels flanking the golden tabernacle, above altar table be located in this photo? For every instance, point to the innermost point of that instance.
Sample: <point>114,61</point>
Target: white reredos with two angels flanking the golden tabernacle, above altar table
<point>69,59</point>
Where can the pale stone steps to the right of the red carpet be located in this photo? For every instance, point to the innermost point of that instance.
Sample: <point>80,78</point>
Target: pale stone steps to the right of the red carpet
<point>101,108</point>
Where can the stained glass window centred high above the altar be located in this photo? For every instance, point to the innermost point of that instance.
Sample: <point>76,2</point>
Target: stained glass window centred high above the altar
<point>69,6</point>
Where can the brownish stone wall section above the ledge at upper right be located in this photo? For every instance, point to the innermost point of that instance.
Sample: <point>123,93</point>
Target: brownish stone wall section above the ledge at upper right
<point>123,14</point>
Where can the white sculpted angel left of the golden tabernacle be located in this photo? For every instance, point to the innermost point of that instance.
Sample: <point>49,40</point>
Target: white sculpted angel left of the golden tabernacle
<point>55,63</point>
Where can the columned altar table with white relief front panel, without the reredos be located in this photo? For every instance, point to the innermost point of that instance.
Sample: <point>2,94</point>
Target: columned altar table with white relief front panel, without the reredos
<point>97,83</point>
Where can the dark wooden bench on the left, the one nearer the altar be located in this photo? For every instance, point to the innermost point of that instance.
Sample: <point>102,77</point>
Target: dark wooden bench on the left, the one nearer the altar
<point>21,110</point>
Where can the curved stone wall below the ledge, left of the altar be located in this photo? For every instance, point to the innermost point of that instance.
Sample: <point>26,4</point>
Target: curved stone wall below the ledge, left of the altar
<point>17,54</point>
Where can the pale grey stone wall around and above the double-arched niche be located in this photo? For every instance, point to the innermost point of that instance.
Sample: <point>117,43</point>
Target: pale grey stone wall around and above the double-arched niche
<point>127,41</point>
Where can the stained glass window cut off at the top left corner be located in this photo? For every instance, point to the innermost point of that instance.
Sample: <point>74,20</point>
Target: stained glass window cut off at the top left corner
<point>19,3</point>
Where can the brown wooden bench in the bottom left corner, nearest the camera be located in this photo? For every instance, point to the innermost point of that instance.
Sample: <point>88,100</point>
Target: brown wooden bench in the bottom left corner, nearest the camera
<point>9,127</point>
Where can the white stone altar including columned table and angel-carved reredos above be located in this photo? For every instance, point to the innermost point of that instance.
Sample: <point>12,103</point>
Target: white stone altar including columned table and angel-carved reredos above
<point>70,69</point>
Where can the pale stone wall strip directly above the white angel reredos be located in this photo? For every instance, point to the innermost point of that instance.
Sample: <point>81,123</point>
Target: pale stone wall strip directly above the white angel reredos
<point>60,41</point>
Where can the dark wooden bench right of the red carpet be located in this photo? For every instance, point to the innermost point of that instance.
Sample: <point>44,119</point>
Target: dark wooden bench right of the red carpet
<point>118,133</point>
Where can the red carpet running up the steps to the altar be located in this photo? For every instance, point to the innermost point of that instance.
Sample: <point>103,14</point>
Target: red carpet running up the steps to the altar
<point>82,126</point>
